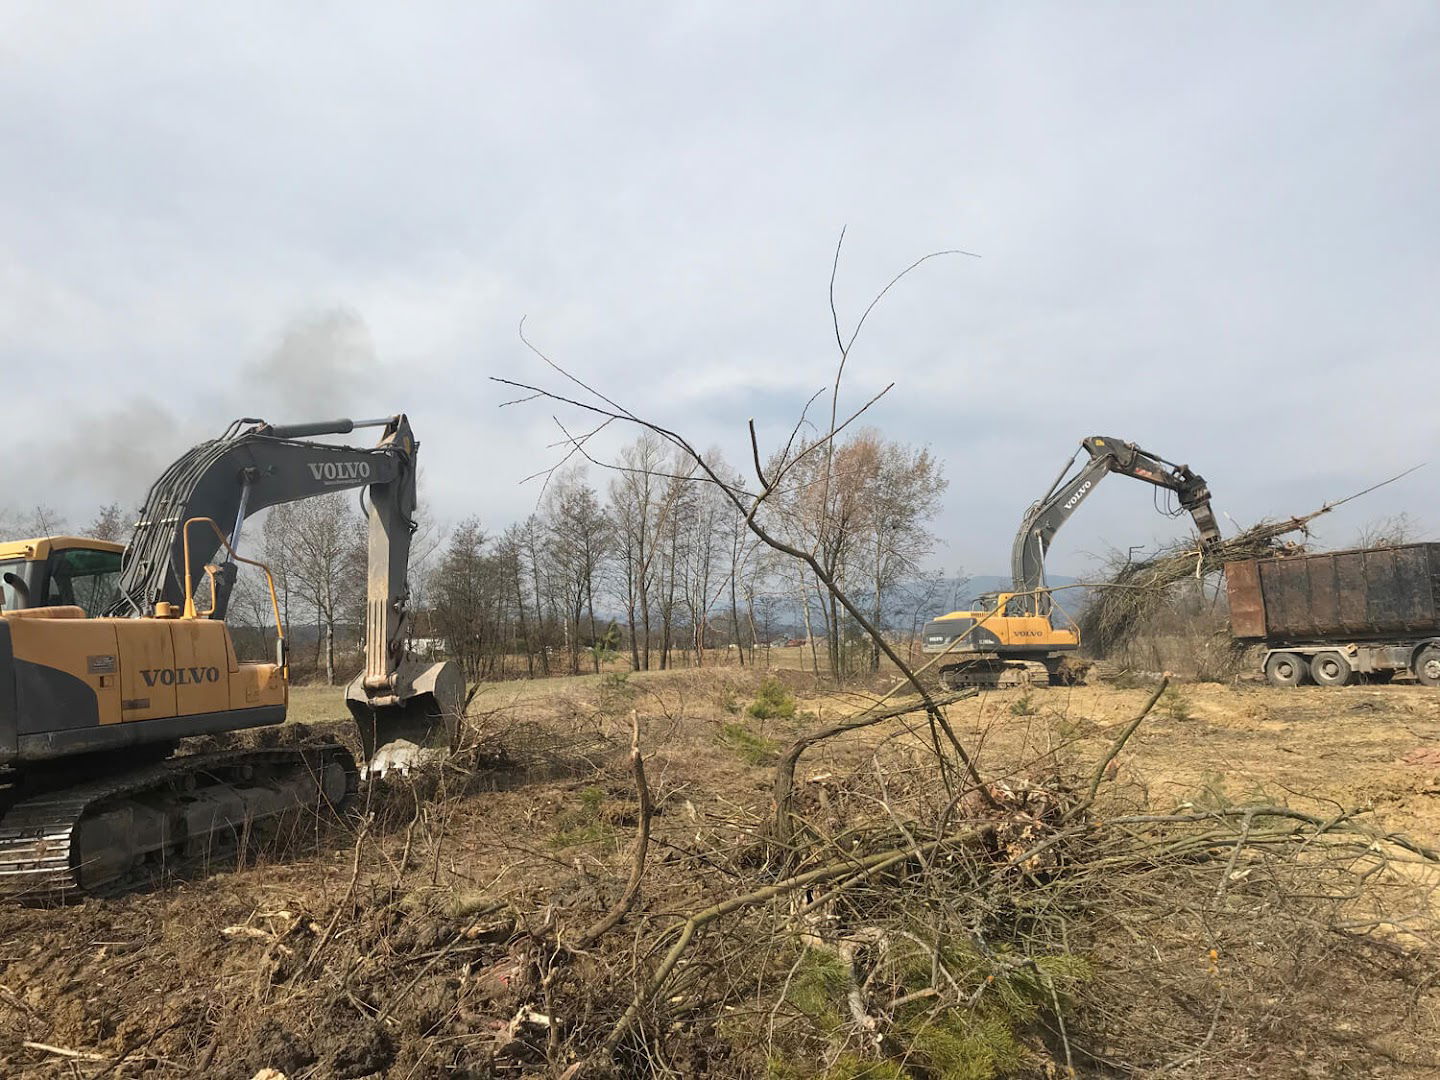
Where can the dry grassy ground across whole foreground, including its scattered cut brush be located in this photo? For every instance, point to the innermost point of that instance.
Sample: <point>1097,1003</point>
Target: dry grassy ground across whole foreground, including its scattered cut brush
<point>1215,945</point>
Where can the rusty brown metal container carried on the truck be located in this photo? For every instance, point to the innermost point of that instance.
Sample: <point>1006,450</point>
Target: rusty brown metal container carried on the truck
<point>1367,594</point>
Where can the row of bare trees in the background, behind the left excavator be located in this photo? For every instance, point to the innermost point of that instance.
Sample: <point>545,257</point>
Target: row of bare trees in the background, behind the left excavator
<point>640,562</point>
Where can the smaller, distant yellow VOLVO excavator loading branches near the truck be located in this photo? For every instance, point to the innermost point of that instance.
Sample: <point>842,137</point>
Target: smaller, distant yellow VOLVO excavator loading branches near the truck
<point>1013,639</point>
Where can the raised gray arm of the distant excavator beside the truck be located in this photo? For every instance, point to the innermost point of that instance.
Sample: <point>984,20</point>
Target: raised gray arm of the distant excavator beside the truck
<point>1107,456</point>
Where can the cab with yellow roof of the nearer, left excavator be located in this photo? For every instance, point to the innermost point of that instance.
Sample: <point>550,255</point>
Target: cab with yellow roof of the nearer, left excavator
<point>61,572</point>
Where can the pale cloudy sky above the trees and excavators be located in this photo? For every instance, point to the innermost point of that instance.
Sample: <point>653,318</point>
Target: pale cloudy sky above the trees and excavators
<point>1212,230</point>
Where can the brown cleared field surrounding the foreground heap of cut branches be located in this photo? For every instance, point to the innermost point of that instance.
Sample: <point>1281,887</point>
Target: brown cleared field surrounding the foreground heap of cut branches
<point>387,947</point>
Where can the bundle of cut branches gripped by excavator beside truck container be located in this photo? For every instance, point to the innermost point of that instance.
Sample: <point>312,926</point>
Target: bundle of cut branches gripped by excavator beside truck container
<point>1122,606</point>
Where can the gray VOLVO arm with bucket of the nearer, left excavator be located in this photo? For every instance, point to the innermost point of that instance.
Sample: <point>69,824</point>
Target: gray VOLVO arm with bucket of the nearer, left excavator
<point>402,708</point>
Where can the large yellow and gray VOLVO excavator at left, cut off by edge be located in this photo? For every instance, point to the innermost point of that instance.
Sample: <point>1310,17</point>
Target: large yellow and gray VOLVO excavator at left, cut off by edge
<point>113,654</point>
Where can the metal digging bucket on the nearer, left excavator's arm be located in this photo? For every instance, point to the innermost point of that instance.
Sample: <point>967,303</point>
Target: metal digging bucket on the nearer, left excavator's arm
<point>413,722</point>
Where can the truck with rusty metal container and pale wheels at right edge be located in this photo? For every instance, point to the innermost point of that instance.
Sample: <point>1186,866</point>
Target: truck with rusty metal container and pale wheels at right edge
<point>1336,617</point>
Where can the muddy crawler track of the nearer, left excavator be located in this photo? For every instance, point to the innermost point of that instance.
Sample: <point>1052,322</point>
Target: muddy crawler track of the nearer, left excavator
<point>70,842</point>
